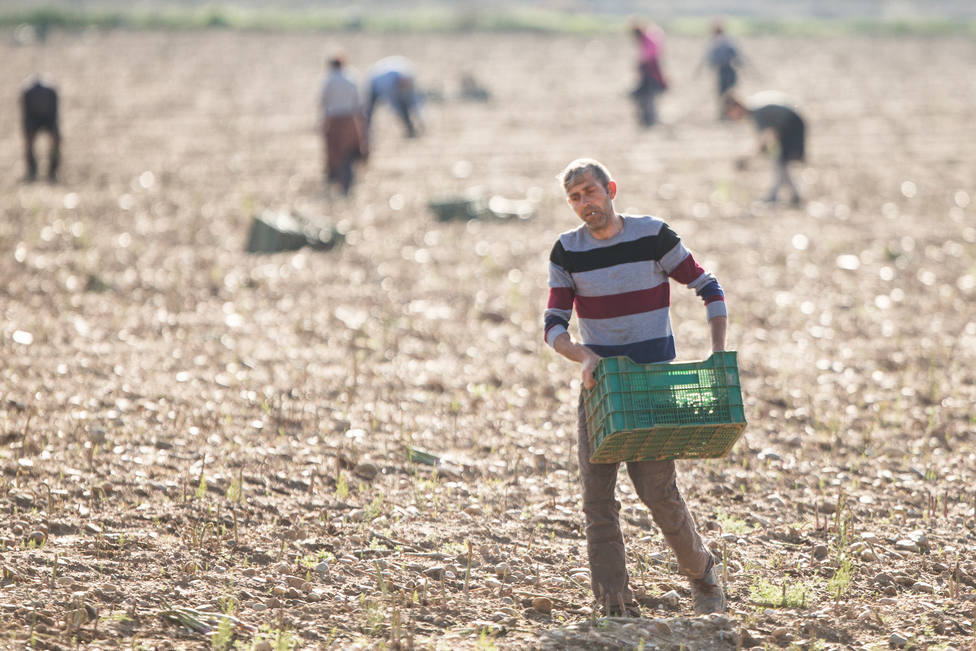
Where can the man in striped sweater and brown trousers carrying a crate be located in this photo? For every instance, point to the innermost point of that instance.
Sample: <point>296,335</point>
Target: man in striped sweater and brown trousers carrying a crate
<point>615,270</point>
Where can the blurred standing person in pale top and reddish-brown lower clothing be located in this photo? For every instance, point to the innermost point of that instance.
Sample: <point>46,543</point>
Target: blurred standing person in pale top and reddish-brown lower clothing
<point>343,124</point>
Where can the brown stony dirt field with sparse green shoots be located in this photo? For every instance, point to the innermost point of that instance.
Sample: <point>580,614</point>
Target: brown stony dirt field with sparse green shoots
<point>186,425</point>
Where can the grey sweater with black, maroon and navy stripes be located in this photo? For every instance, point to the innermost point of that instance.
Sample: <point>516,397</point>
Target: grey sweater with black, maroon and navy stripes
<point>620,289</point>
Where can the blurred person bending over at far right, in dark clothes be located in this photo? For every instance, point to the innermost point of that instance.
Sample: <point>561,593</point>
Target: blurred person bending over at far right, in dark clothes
<point>781,132</point>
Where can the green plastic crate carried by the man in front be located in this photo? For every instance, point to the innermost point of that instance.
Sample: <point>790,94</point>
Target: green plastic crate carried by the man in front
<point>689,410</point>
